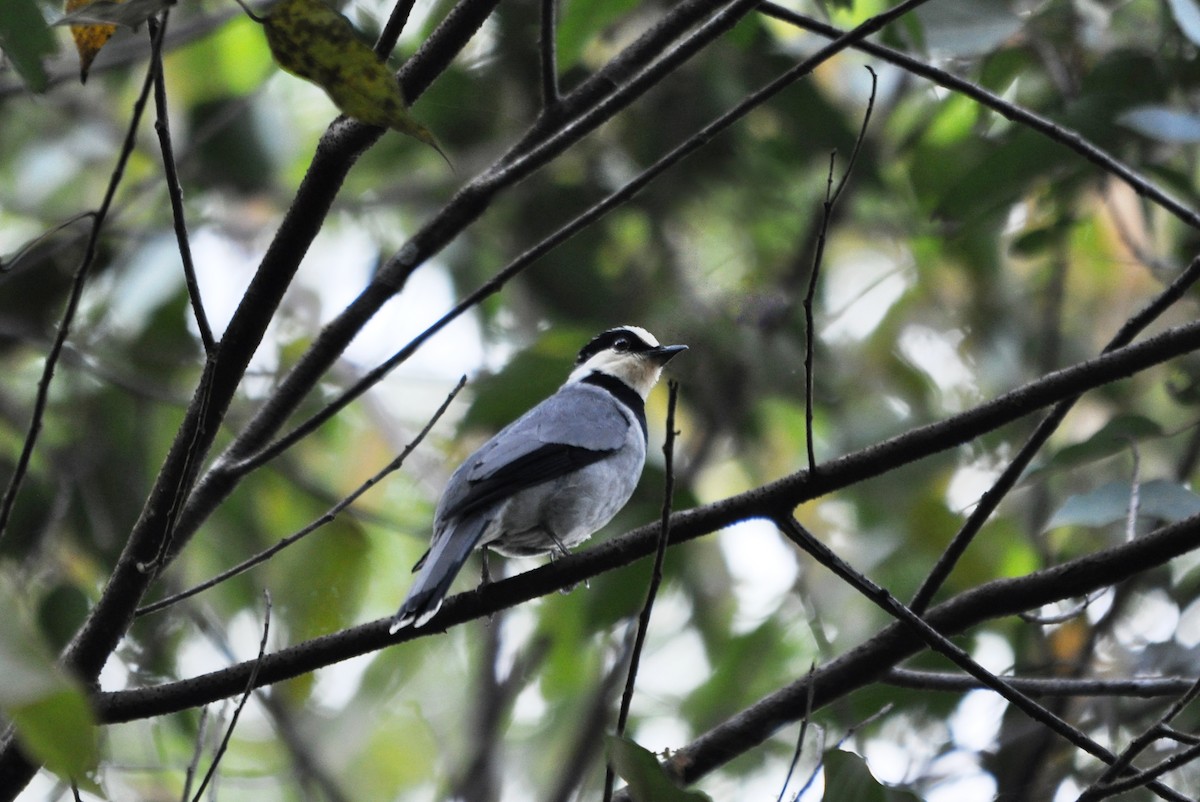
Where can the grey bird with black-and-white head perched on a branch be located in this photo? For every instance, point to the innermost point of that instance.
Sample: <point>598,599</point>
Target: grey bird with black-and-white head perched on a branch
<point>555,476</point>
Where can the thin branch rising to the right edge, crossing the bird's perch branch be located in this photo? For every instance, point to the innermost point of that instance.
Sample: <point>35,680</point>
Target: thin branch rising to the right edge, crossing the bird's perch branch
<point>1012,474</point>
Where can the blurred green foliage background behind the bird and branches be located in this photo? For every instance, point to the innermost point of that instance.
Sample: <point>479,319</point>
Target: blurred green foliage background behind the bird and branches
<point>968,256</point>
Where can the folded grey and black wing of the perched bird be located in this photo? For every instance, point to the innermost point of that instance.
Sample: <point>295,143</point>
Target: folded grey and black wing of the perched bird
<point>574,428</point>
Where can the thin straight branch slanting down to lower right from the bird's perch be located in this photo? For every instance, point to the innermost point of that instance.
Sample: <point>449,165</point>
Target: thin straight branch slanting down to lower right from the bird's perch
<point>939,643</point>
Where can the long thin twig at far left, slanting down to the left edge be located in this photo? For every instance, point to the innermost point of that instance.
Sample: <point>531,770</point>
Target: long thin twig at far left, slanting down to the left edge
<point>77,285</point>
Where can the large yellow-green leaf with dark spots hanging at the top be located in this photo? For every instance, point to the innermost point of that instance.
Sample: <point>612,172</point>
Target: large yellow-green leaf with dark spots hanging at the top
<point>311,40</point>
